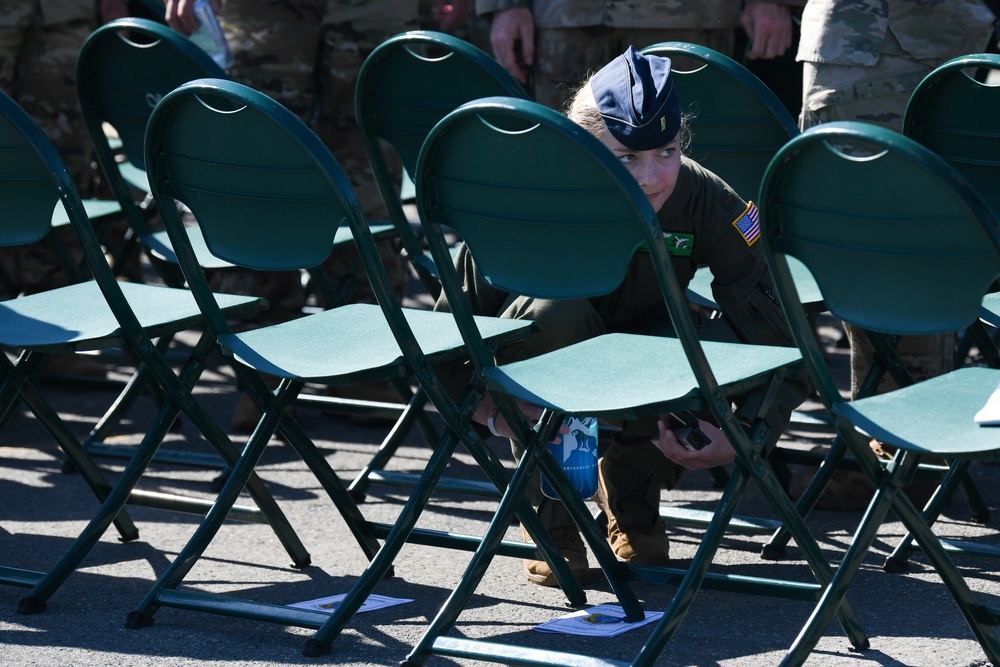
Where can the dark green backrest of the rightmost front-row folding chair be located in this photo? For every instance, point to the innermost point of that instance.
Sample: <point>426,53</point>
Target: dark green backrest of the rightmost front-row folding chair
<point>890,214</point>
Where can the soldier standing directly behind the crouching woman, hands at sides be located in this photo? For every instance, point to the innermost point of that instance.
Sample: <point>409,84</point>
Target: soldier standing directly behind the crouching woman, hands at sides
<point>558,43</point>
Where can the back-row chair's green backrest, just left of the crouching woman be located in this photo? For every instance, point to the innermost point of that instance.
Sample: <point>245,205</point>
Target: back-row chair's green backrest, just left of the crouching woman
<point>404,88</point>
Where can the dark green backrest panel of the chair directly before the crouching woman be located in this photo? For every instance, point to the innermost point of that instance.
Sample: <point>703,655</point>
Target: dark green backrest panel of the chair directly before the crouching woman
<point>584,255</point>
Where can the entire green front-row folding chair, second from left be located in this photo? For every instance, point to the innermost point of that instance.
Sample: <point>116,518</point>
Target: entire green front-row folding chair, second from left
<point>197,154</point>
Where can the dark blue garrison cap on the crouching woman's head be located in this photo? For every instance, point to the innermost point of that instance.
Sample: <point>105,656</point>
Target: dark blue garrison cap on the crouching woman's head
<point>637,100</point>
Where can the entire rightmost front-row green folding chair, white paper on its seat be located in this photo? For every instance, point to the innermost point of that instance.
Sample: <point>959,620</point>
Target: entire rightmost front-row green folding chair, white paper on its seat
<point>868,224</point>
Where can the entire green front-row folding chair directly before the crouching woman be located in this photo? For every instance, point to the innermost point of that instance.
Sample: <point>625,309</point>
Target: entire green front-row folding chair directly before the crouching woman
<point>527,189</point>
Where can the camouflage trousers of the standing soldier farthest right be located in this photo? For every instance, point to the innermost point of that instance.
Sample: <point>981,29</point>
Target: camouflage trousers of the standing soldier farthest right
<point>875,95</point>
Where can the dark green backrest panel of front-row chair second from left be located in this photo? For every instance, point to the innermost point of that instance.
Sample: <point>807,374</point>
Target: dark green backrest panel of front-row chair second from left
<point>269,207</point>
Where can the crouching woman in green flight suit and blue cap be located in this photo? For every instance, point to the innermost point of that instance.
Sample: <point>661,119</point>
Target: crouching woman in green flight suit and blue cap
<point>632,107</point>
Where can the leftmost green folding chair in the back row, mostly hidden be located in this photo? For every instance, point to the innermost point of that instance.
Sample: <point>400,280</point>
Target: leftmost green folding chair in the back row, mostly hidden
<point>124,68</point>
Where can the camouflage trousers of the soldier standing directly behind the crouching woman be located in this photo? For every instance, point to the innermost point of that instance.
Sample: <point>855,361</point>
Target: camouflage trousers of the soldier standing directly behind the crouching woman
<point>565,57</point>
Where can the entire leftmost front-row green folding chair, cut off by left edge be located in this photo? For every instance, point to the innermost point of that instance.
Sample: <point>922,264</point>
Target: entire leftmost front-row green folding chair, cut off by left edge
<point>99,314</point>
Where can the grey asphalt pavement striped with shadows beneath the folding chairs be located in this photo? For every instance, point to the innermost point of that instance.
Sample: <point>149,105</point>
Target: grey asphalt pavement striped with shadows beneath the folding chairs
<point>909,617</point>
